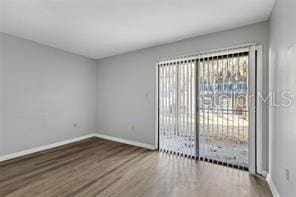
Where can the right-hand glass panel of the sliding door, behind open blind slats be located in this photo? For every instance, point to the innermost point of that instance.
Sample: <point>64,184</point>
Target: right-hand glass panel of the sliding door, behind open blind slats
<point>223,109</point>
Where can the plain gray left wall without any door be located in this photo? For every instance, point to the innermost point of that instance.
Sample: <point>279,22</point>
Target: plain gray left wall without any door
<point>45,91</point>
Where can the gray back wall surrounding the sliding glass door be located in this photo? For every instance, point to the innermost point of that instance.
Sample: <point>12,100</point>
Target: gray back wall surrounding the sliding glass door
<point>126,83</point>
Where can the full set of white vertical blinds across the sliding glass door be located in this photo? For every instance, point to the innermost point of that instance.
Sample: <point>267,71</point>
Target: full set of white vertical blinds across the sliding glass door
<point>217,128</point>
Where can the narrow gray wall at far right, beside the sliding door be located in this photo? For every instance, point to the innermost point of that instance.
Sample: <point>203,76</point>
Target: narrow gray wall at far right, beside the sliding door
<point>283,77</point>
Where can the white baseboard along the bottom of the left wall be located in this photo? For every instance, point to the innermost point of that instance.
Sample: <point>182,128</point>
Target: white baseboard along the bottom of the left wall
<point>42,148</point>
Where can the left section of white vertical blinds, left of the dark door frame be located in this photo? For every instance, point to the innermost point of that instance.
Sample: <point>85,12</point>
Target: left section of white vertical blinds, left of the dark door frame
<point>177,116</point>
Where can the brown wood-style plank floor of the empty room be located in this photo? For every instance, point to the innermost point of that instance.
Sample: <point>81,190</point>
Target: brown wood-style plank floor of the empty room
<point>97,167</point>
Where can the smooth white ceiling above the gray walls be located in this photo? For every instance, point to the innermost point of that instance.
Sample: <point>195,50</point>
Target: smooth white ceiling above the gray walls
<point>102,28</point>
